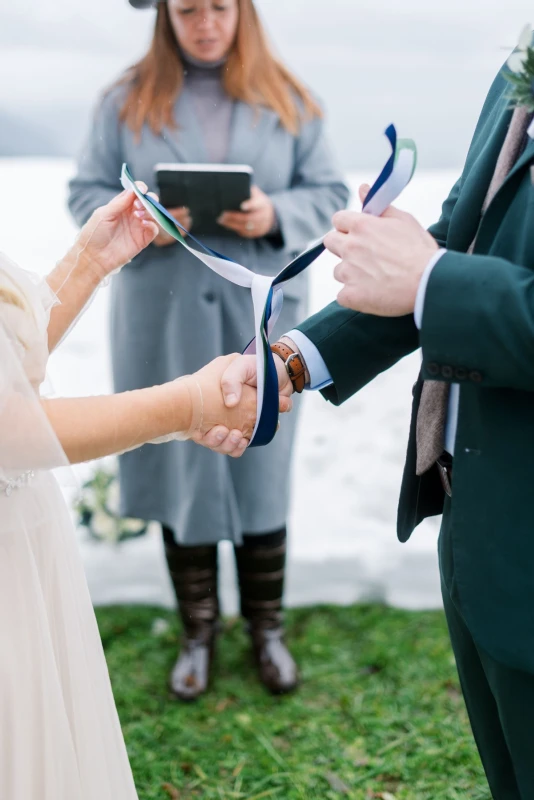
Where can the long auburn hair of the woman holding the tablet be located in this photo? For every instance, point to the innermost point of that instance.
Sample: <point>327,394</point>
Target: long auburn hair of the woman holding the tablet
<point>252,74</point>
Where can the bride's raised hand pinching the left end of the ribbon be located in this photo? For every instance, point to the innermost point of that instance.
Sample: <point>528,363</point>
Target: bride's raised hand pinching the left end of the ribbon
<point>116,233</point>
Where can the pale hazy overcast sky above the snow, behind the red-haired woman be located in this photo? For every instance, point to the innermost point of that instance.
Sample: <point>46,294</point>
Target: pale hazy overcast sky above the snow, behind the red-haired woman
<point>425,66</point>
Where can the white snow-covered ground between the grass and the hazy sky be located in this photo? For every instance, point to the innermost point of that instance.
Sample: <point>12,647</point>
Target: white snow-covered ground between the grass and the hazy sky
<point>348,461</point>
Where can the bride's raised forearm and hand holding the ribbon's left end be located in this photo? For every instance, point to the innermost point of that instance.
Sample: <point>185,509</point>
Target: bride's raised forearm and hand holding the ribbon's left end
<point>114,235</point>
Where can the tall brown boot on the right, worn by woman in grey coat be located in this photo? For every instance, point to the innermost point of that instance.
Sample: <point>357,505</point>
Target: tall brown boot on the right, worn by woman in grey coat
<point>261,570</point>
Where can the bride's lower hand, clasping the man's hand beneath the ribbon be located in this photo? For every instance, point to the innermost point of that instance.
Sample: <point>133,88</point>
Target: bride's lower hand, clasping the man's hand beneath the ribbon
<point>226,430</point>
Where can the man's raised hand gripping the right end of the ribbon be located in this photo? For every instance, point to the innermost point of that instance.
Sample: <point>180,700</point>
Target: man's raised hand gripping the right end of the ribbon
<point>382,260</point>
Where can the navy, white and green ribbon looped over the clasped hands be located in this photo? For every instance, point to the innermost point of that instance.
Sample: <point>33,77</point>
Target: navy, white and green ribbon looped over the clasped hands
<point>266,291</point>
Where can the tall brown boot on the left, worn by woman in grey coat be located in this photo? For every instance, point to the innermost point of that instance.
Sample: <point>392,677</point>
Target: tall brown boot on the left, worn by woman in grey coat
<point>193,572</point>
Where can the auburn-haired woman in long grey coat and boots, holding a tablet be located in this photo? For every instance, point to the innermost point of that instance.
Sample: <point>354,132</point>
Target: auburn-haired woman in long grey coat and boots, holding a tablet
<point>209,90</point>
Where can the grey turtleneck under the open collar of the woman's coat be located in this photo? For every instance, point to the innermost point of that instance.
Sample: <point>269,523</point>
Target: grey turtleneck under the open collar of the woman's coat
<point>212,105</point>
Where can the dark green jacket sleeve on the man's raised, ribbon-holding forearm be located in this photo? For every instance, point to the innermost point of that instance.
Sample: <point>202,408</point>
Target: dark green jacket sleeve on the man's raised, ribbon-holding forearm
<point>478,322</point>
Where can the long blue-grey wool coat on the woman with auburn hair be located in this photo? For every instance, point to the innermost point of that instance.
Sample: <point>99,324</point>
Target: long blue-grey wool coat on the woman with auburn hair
<point>171,314</point>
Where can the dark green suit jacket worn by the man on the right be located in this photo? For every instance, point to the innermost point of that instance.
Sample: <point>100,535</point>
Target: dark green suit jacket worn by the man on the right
<point>478,331</point>
